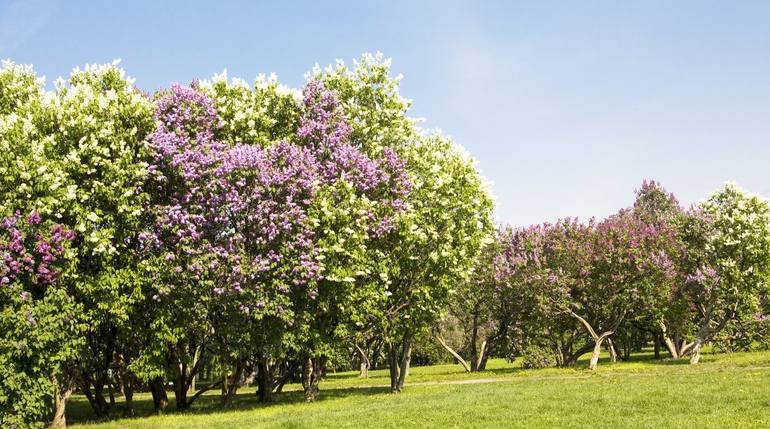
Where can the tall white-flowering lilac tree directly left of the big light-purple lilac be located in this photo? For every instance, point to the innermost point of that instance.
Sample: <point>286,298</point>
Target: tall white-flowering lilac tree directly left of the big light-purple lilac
<point>98,125</point>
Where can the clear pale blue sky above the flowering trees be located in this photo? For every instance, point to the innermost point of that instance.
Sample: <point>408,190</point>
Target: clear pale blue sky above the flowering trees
<point>566,105</point>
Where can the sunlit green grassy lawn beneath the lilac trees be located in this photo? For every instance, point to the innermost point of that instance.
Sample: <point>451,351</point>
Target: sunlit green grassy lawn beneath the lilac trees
<point>723,391</point>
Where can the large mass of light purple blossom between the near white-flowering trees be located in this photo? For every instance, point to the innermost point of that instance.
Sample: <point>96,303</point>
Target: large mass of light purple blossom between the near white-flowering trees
<point>239,215</point>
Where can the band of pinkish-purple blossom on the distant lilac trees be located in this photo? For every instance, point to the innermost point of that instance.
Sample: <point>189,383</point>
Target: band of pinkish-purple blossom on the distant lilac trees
<point>614,259</point>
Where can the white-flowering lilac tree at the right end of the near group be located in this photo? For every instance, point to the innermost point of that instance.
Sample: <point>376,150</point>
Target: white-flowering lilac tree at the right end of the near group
<point>433,243</point>
